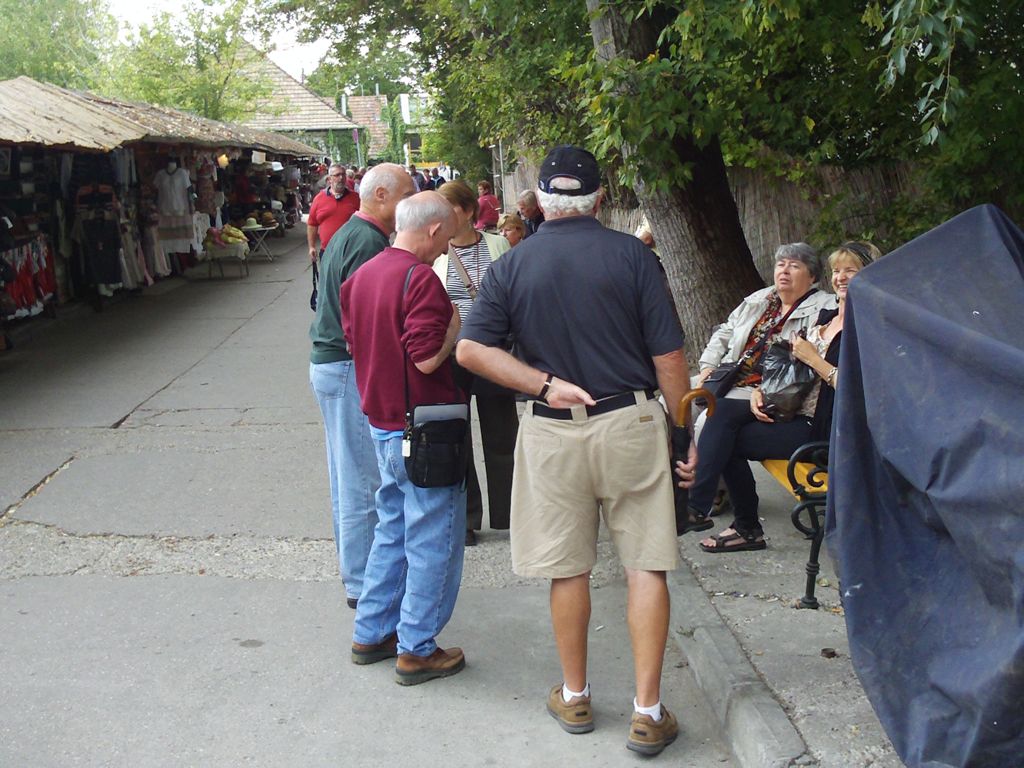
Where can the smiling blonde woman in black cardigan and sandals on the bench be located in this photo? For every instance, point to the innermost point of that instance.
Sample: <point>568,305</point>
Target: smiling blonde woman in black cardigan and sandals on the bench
<point>744,440</point>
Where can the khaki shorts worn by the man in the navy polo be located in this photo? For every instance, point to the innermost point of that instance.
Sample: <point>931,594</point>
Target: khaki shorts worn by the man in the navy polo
<point>569,474</point>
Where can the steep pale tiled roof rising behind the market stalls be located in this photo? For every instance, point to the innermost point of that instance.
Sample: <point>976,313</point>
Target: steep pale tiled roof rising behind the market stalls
<point>292,107</point>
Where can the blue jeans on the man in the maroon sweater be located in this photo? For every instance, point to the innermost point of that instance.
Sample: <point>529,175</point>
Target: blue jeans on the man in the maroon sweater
<point>415,567</point>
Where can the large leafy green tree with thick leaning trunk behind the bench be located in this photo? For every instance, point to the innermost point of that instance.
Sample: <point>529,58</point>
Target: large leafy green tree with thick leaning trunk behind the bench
<point>670,95</point>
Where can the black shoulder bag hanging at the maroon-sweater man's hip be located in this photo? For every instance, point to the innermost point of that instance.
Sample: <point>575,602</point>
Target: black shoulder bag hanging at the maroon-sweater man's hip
<point>436,443</point>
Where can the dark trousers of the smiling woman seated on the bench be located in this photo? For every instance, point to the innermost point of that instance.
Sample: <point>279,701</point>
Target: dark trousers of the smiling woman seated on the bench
<point>731,440</point>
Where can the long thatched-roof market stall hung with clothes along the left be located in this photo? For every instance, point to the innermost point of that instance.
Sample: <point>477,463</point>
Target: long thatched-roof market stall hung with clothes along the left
<point>100,196</point>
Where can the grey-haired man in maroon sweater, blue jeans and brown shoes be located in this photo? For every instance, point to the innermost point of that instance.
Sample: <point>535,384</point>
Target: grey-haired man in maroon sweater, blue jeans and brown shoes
<point>415,567</point>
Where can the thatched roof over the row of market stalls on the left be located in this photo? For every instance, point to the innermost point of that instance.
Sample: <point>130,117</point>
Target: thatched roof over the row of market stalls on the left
<point>33,113</point>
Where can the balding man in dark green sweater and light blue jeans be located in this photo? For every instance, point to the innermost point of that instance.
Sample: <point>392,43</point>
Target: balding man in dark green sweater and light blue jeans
<point>352,460</point>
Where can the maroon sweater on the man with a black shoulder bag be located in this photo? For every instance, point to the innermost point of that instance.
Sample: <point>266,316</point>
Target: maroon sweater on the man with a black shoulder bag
<point>381,325</point>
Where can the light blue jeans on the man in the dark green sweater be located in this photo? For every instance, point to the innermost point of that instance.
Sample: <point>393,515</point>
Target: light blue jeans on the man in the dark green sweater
<point>352,466</point>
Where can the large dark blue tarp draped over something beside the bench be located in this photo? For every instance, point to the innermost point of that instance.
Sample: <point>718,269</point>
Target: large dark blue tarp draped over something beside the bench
<point>926,508</point>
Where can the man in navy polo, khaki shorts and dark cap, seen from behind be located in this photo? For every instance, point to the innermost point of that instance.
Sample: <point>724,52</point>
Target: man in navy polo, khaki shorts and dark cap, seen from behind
<point>596,334</point>
